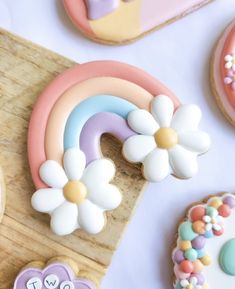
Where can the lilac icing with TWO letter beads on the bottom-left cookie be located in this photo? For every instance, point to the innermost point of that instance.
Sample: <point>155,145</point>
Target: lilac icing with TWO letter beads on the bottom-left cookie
<point>55,276</point>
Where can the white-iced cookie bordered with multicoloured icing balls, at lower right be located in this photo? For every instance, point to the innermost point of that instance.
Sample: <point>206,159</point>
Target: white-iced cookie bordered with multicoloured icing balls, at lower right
<point>204,256</point>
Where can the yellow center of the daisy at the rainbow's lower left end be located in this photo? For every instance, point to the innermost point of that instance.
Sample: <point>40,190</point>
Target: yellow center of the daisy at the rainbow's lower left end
<point>75,192</point>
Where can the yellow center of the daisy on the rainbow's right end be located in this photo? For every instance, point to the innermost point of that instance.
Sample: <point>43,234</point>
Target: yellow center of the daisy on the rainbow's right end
<point>166,138</point>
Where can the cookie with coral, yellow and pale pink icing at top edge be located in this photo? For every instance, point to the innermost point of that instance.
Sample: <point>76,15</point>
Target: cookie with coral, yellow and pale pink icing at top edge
<point>121,21</point>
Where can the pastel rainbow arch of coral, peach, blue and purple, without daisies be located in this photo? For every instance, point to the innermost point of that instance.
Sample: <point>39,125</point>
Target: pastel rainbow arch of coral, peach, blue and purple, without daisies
<point>83,103</point>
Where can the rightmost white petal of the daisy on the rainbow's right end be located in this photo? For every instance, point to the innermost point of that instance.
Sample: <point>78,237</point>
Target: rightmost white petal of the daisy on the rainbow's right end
<point>195,141</point>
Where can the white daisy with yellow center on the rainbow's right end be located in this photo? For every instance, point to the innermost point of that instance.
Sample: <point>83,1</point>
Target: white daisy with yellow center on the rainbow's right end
<point>168,141</point>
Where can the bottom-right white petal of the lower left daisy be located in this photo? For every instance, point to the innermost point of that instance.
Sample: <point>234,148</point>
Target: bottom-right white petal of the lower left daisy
<point>90,217</point>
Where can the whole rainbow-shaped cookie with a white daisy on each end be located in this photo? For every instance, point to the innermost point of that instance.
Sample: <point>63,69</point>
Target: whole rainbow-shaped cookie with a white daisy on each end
<point>73,179</point>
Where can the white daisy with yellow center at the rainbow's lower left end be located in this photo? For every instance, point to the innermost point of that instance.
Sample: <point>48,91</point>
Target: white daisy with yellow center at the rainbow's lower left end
<point>77,196</point>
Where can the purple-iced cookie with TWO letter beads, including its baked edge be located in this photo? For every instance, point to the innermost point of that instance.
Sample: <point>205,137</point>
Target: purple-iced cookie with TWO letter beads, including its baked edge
<point>58,273</point>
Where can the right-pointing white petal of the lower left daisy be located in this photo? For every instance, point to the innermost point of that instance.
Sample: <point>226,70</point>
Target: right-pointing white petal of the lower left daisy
<point>107,196</point>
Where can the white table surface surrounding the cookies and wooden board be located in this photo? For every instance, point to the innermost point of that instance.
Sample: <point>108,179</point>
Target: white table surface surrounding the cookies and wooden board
<point>179,56</point>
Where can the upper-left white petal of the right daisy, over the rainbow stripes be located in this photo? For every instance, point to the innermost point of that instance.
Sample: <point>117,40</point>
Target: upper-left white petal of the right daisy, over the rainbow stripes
<point>142,121</point>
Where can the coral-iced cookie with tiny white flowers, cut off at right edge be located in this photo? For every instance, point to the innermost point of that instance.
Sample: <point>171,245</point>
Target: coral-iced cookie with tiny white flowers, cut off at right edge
<point>223,72</point>
